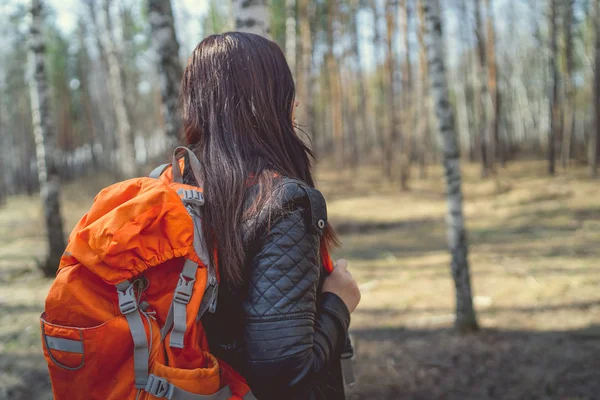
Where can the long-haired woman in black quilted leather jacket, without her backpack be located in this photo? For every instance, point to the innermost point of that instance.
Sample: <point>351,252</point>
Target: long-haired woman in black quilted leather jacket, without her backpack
<point>280,321</point>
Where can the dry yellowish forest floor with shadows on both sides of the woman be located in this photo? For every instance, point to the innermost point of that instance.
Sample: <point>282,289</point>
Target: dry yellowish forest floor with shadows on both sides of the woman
<point>535,264</point>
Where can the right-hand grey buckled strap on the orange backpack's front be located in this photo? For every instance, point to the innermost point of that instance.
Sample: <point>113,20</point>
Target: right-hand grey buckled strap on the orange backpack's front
<point>181,298</point>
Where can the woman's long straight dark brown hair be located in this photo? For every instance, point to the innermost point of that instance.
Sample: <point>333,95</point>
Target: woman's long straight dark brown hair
<point>238,95</point>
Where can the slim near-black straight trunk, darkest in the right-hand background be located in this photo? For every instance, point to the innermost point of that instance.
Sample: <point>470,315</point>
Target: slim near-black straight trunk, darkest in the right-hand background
<point>554,101</point>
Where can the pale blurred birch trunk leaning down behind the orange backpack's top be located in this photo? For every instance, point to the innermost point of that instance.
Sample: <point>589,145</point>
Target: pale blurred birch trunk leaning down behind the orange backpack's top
<point>124,134</point>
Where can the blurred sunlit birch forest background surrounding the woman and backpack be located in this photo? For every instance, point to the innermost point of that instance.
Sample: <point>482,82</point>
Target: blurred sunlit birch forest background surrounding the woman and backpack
<point>88,95</point>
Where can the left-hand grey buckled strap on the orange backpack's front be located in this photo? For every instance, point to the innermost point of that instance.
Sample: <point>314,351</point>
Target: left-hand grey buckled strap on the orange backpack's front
<point>129,308</point>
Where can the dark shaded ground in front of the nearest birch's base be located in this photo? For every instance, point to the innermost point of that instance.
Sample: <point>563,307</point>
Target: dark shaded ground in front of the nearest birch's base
<point>399,363</point>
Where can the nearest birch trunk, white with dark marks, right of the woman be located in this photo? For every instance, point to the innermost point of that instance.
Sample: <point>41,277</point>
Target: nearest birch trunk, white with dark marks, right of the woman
<point>457,235</point>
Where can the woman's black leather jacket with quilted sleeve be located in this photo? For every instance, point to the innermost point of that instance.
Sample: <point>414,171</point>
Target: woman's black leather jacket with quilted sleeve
<point>278,330</point>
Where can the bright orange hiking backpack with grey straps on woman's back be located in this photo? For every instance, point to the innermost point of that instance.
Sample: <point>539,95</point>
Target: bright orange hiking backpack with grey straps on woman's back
<point>122,318</point>
